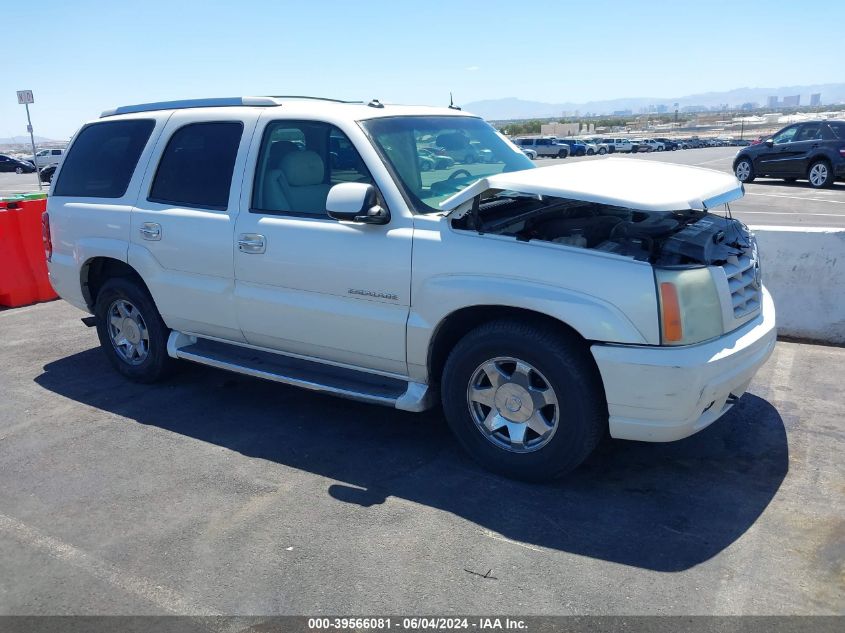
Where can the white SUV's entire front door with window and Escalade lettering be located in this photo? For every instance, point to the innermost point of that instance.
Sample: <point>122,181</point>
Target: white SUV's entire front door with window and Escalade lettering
<point>305,283</point>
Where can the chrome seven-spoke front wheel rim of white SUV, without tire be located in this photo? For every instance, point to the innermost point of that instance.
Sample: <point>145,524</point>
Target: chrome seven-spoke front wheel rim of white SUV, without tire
<point>513,404</point>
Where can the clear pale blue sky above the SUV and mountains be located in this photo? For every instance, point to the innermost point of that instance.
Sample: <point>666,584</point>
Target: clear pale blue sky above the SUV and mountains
<point>93,54</point>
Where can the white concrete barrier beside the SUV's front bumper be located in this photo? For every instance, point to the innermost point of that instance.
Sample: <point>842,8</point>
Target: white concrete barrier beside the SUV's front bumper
<point>804,269</point>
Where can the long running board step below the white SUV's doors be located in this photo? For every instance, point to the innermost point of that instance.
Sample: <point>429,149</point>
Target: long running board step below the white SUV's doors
<point>311,375</point>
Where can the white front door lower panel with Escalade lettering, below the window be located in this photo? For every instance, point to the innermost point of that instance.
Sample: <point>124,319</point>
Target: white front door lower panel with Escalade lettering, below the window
<point>303,294</point>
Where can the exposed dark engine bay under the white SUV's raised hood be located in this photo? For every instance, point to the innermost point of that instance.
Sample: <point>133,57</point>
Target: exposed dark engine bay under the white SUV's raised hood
<point>665,238</point>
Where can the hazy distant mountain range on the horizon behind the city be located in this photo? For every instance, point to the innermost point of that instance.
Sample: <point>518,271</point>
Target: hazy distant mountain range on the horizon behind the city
<point>515,108</point>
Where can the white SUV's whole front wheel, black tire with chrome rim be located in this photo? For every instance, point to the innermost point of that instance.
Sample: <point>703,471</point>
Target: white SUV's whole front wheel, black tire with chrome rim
<point>524,401</point>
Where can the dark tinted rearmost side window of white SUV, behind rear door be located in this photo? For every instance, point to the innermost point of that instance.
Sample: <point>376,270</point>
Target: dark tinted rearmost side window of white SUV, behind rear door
<point>102,159</point>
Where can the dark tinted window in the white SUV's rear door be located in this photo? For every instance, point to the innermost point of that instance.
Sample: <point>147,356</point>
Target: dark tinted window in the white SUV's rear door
<point>195,169</point>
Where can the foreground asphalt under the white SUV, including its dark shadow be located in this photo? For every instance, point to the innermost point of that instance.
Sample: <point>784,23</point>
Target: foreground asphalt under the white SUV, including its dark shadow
<point>219,494</point>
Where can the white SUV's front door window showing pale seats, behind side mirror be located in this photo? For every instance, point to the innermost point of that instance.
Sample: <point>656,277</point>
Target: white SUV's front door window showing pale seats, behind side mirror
<point>298,163</point>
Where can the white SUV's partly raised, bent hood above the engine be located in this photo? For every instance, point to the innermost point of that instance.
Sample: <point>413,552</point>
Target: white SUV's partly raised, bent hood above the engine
<point>643,185</point>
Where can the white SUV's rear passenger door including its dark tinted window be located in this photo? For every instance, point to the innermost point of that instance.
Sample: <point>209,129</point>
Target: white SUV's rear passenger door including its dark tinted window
<point>184,250</point>
